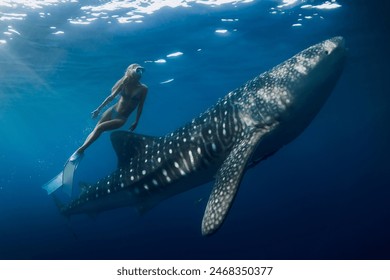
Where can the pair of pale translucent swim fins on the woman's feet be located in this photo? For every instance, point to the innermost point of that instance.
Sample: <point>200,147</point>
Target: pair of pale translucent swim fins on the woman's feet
<point>64,179</point>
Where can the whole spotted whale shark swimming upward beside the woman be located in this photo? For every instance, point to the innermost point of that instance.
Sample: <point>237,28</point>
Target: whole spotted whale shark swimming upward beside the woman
<point>243,128</point>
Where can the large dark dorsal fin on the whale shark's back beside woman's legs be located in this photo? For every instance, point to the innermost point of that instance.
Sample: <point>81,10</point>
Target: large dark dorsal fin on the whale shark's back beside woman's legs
<point>128,145</point>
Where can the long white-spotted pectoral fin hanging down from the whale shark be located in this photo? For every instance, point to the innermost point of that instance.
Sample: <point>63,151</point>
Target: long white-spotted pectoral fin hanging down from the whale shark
<point>227,181</point>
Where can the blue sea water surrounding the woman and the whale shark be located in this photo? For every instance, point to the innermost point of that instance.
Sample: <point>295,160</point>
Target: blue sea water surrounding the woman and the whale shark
<point>324,196</point>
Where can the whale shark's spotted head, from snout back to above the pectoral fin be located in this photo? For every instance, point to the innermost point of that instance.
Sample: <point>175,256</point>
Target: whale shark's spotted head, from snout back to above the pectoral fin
<point>295,90</point>
